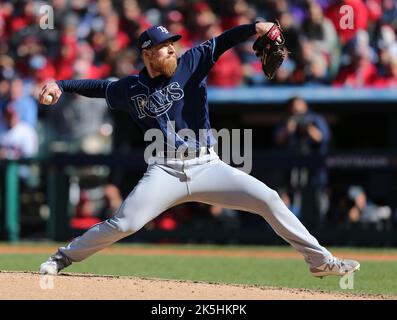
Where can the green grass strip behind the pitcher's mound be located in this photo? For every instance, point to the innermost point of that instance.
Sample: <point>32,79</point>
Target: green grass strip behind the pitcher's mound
<point>374,277</point>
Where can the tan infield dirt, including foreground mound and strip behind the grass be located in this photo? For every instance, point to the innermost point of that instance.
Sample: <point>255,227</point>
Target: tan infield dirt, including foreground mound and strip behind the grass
<point>32,286</point>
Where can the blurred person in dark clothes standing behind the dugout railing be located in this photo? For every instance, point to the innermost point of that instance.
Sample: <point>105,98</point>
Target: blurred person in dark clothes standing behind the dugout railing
<point>306,133</point>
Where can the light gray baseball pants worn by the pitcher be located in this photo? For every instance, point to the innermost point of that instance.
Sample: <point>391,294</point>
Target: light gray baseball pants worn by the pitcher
<point>207,179</point>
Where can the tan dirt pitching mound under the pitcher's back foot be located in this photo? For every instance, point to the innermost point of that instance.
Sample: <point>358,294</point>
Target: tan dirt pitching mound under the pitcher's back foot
<point>32,286</point>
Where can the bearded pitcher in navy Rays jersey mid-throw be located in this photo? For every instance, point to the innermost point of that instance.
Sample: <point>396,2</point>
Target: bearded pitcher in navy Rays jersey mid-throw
<point>170,94</point>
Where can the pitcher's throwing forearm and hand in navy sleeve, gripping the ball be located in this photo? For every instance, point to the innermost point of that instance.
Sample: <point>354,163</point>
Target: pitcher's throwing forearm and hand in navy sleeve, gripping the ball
<point>89,88</point>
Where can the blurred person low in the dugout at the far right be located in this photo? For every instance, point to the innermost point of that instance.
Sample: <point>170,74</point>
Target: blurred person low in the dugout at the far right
<point>364,210</point>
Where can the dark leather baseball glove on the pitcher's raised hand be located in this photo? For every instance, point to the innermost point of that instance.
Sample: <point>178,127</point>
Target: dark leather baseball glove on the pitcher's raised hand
<point>270,48</point>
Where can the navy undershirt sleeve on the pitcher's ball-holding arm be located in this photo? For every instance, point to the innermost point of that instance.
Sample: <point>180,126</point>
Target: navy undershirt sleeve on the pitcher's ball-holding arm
<point>92,88</point>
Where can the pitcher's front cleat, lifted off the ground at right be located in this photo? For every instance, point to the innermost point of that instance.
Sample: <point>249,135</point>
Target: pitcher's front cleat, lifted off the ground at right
<point>335,267</point>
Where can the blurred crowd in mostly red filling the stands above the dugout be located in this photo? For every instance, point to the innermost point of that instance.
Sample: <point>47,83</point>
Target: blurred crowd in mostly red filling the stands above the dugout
<point>98,39</point>
